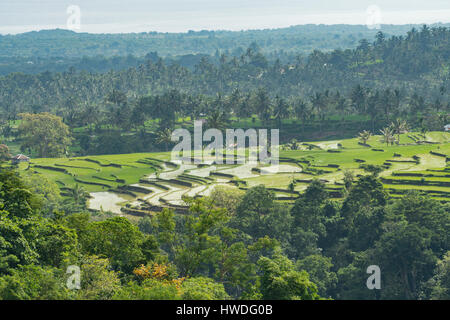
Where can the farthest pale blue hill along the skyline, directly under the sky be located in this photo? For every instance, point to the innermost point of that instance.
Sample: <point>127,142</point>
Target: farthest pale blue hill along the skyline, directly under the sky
<point>299,39</point>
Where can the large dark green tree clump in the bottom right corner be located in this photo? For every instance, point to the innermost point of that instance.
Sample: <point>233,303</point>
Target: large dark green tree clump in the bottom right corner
<point>405,240</point>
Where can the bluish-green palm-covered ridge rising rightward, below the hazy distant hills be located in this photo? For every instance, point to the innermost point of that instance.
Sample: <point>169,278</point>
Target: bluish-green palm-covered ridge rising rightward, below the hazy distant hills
<point>417,62</point>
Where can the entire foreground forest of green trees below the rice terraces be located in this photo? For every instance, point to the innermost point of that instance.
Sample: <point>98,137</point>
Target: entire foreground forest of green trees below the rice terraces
<point>231,245</point>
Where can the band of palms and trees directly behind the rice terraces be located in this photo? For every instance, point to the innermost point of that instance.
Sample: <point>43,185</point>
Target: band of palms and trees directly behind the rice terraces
<point>121,125</point>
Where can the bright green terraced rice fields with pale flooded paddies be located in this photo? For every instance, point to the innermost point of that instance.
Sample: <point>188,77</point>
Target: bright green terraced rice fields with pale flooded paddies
<point>140,184</point>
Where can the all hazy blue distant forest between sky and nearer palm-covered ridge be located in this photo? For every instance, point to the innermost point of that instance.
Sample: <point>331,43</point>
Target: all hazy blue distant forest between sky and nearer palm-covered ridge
<point>60,50</point>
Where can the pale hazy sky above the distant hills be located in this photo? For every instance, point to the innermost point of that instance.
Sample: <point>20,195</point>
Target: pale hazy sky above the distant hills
<point>113,16</point>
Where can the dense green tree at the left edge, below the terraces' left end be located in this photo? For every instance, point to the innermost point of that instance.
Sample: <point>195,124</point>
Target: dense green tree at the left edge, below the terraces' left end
<point>26,237</point>
